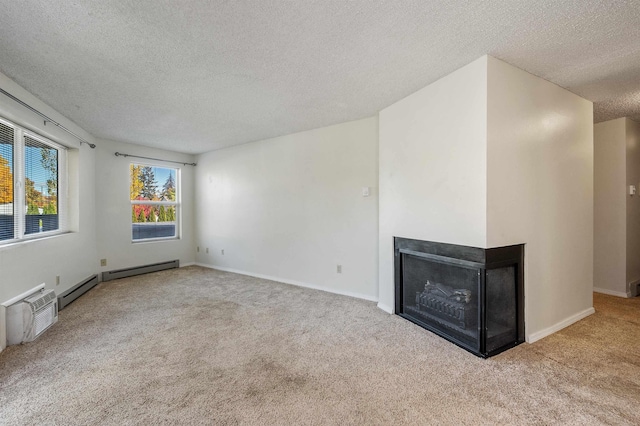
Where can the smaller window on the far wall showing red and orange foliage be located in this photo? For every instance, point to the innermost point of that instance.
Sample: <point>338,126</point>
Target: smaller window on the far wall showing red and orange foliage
<point>155,195</point>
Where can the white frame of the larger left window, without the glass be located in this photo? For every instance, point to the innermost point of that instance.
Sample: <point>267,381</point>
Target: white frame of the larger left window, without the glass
<point>19,187</point>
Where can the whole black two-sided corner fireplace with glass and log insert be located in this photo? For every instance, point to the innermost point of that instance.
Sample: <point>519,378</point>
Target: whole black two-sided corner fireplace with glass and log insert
<point>471,296</point>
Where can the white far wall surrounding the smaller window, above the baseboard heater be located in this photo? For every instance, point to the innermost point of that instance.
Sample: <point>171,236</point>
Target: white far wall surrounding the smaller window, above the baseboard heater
<point>113,209</point>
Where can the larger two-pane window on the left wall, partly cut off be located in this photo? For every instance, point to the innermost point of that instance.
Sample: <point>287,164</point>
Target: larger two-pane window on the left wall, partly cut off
<point>32,199</point>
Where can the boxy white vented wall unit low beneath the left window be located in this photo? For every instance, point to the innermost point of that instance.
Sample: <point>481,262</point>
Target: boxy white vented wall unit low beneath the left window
<point>28,319</point>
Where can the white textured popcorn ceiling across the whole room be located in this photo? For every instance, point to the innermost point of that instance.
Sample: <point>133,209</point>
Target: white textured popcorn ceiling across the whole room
<point>194,76</point>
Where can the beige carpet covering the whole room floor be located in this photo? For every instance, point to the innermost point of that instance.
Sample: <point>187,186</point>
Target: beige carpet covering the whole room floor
<point>198,346</point>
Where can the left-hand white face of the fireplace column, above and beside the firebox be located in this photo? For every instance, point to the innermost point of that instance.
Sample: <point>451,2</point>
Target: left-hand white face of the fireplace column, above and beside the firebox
<point>433,167</point>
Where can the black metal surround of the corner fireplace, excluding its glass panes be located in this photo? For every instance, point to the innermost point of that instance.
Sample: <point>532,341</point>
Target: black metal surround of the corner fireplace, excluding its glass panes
<point>471,258</point>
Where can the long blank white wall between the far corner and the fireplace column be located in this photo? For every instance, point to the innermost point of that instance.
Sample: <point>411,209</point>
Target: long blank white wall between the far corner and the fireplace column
<point>291,208</point>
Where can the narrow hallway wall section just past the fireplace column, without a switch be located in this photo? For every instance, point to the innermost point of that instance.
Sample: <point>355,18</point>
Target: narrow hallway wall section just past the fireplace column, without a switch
<point>610,207</point>
